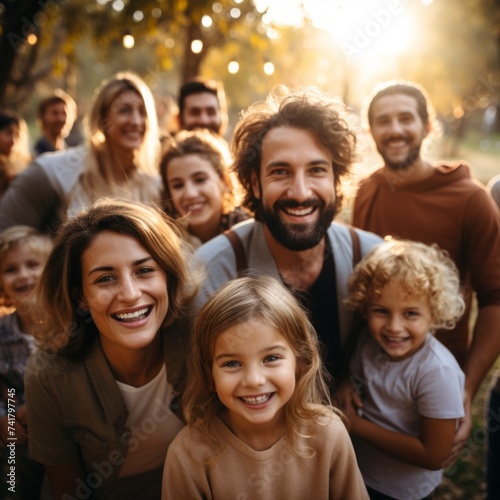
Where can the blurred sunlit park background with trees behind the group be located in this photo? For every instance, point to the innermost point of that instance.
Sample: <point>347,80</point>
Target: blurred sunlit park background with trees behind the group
<point>345,47</point>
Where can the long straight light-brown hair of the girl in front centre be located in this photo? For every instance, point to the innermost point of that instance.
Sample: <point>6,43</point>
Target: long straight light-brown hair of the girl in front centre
<point>236,303</point>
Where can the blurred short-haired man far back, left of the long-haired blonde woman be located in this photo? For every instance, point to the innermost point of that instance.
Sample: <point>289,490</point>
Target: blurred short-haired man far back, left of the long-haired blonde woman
<point>56,116</point>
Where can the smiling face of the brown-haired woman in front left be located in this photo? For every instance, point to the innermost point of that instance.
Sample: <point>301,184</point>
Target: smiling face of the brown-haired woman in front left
<point>125,290</point>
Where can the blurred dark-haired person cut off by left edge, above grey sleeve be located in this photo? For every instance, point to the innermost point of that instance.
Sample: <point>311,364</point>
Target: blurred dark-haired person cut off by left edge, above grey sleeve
<point>14,147</point>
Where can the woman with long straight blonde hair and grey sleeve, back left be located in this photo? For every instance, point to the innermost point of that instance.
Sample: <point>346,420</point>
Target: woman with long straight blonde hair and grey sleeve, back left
<point>120,159</point>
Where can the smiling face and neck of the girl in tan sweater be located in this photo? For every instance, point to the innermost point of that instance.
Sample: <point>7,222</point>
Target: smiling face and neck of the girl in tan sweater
<point>253,371</point>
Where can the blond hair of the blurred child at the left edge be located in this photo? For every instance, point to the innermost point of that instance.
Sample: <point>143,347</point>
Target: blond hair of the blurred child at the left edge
<point>14,236</point>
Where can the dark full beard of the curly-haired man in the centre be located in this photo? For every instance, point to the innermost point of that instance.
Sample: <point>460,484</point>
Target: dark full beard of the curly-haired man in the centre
<point>298,237</point>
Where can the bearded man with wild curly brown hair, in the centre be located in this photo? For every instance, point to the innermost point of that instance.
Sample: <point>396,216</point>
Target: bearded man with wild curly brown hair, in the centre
<point>290,154</point>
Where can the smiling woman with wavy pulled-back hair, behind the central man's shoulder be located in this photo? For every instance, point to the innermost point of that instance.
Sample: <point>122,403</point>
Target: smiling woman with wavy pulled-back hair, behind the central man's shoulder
<point>198,187</point>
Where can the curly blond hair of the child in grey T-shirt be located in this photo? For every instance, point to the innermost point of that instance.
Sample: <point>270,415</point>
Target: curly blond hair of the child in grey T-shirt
<point>419,269</point>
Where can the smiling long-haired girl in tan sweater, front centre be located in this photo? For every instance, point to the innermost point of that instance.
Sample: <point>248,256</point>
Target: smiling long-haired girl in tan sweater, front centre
<point>257,406</point>
